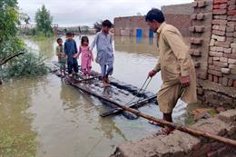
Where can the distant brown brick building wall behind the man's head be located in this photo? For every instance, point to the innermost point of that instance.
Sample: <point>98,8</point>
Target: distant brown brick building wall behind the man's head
<point>177,15</point>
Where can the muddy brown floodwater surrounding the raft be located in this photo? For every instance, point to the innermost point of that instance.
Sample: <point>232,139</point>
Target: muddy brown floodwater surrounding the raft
<point>44,117</point>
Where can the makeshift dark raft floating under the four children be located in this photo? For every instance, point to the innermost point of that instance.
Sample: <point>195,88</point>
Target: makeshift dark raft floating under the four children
<point>114,95</point>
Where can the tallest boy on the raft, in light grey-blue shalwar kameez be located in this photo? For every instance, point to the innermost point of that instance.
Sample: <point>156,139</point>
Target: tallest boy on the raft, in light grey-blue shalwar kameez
<point>105,57</point>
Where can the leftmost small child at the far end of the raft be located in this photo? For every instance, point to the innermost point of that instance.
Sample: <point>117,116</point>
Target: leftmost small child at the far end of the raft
<point>61,56</point>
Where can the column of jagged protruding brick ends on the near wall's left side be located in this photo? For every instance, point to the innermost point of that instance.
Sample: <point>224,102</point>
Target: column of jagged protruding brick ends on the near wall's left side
<point>201,33</point>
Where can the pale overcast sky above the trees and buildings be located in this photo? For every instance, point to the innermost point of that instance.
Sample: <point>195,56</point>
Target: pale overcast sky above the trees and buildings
<point>87,12</point>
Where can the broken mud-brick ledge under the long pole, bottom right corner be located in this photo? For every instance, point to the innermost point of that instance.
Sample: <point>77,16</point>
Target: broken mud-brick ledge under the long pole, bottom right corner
<point>184,145</point>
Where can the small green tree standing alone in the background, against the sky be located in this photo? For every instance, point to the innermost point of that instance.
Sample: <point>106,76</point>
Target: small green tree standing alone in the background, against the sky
<point>44,21</point>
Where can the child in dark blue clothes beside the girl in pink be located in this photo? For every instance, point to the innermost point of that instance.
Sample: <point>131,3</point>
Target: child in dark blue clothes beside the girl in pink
<point>70,50</point>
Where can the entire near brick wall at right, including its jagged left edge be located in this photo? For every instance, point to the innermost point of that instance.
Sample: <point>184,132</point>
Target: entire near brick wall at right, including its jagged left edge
<point>213,48</point>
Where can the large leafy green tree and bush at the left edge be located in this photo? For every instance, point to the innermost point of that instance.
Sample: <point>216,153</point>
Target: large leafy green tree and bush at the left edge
<point>14,57</point>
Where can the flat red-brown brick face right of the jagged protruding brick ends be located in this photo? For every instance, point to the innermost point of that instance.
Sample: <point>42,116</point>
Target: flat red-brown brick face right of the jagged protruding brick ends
<point>222,54</point>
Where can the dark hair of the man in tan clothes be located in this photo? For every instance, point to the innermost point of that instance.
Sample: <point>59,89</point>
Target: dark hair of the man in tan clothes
<point>155,14</point>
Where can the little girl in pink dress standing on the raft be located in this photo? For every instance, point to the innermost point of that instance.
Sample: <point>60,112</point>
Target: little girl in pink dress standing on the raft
<point>86,56</point>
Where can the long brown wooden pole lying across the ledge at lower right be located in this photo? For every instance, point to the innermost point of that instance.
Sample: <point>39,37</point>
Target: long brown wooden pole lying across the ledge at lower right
<point>191,131</point>
